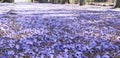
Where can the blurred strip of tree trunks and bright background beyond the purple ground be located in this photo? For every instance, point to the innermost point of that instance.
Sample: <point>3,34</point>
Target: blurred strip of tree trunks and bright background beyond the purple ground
<point>80,2</point>
